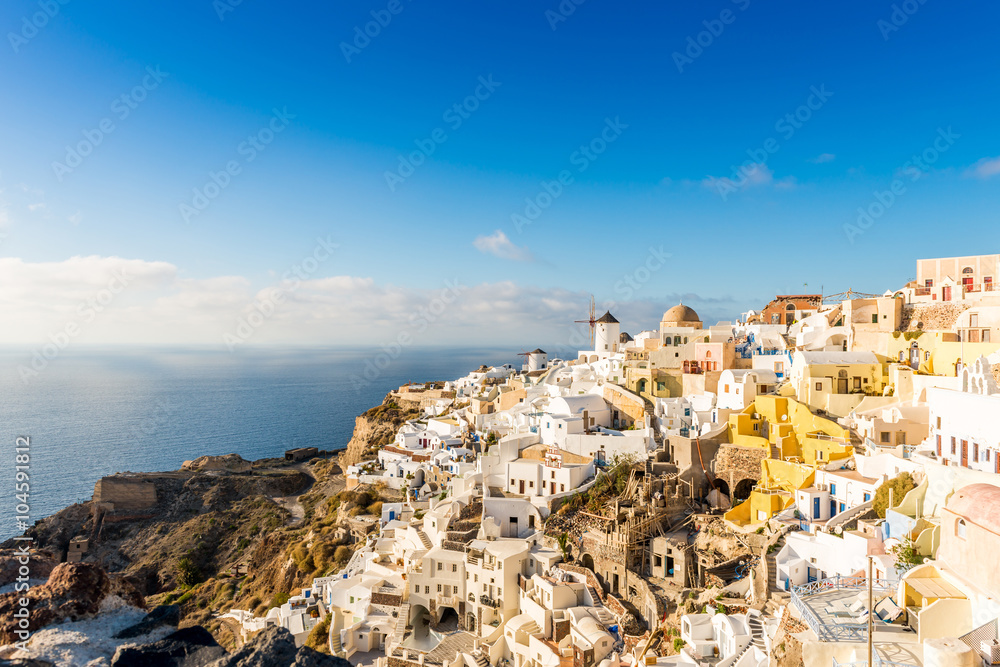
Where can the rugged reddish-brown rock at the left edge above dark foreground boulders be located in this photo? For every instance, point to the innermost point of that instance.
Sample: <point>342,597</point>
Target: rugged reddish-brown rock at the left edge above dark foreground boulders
<point>73,591</point>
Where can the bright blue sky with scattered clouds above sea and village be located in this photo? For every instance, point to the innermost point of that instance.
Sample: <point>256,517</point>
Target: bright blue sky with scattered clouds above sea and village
<point>895,77</point>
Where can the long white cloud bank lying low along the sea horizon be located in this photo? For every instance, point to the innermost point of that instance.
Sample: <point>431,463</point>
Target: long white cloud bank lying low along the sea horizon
<point>161,306</point>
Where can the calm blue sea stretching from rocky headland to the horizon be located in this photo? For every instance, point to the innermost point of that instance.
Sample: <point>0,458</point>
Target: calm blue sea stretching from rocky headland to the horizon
<point>95,412</point>
